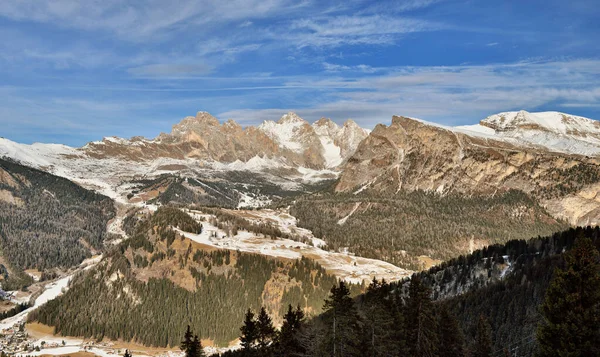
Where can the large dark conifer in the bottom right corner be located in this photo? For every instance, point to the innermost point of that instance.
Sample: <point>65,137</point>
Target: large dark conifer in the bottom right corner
<point>571,309</point>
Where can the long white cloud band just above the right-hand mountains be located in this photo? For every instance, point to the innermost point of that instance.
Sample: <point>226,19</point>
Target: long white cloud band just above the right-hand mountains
<point>460,94</point>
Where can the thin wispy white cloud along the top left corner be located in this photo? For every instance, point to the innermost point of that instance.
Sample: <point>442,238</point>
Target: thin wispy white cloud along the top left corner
<point>141,20</point>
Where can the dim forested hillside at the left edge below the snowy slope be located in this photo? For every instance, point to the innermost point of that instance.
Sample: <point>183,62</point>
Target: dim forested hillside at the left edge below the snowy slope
<point>47,221</point>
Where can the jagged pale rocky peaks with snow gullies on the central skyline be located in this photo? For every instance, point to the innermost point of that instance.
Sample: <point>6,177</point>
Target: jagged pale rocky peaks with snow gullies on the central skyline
<point>291,141</point>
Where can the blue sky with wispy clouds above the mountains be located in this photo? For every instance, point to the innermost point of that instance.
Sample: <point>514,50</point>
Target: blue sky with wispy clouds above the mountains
<point>74,71</point>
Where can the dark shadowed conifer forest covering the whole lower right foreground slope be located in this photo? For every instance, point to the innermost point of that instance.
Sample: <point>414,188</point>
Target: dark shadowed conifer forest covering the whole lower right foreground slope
<point>501,317</point>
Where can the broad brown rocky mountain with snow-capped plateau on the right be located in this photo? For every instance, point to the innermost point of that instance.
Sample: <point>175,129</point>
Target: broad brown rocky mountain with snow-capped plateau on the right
<point>551,156</point>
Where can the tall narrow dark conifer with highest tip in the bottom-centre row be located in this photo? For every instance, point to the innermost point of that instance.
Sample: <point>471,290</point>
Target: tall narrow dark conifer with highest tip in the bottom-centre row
<point>421,323</point>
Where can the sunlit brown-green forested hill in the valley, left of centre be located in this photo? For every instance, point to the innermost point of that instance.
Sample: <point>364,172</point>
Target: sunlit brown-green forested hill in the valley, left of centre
<point>156,281</point>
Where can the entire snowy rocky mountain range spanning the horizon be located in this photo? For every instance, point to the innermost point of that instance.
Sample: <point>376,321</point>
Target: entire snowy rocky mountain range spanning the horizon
<point>551,156</point>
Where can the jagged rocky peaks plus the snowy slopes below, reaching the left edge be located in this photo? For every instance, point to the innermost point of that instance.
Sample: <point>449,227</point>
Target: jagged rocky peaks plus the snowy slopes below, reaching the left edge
<point>284,155</point>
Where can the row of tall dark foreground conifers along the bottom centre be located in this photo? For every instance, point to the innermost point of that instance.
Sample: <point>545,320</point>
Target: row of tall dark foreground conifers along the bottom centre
<point>379,323</point>
